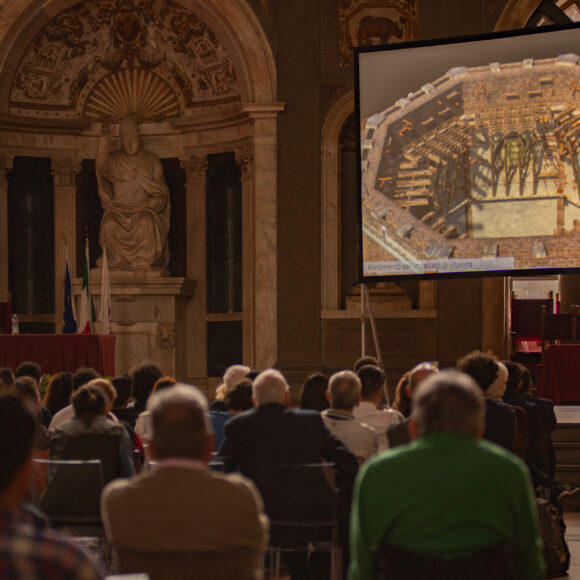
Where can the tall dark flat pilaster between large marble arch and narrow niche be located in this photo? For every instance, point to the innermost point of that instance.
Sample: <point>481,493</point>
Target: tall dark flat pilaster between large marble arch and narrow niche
<point>298,62</point>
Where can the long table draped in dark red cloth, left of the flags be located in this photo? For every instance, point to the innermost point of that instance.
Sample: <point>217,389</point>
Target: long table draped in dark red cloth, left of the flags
<point>60,352</point>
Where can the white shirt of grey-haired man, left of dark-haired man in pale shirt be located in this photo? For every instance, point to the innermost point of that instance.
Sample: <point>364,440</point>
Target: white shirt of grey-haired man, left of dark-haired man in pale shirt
<point>360,438</point>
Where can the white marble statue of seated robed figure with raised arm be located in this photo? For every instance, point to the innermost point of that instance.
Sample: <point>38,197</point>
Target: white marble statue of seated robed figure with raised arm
<point>135,200</point>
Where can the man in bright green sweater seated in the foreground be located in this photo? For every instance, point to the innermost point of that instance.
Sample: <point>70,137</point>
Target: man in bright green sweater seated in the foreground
<point>447,496</point>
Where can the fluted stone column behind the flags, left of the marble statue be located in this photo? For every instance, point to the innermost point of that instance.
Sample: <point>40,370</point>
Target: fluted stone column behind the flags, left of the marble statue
<point>64,171</point>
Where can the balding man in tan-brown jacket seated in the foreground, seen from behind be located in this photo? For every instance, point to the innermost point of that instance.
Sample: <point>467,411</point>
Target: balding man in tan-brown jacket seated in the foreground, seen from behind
<point>182,520</point>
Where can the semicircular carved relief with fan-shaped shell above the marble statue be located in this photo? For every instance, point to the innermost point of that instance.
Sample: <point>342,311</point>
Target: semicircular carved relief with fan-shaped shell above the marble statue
<point>104,59</point>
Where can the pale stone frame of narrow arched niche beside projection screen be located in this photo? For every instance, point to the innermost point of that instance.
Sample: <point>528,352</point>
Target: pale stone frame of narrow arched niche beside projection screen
<point>330,211</point>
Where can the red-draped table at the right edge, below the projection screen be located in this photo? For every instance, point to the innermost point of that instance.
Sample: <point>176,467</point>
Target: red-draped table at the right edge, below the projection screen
<point>560,376</point>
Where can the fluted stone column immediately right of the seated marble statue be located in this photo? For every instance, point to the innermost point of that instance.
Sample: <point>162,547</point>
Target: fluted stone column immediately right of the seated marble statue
<point>195,168</point>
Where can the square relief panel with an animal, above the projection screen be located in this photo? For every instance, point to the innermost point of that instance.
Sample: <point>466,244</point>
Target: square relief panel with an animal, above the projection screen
<point>371,22</point>
